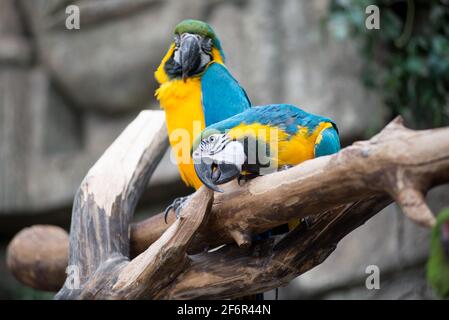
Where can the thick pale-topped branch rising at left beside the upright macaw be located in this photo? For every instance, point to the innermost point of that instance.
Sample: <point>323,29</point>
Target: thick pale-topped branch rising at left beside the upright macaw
<point>104,205</point>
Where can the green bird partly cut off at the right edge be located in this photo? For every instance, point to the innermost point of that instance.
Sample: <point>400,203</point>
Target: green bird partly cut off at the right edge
<point>438,263</point>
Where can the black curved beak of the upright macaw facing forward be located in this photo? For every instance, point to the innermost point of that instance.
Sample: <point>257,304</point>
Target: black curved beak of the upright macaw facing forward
<point>190,54</point>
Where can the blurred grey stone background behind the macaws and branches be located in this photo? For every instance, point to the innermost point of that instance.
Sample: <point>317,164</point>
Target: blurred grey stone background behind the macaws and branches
<point>66,94</point>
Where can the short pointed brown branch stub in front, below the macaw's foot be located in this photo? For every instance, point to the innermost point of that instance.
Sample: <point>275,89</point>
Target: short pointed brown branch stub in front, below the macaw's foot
<point>151,271</point>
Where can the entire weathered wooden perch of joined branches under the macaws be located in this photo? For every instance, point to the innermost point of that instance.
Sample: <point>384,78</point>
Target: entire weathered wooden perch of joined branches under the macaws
<point>150,259</point>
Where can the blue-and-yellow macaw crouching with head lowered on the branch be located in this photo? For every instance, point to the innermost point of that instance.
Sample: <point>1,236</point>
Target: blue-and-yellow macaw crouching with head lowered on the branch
<point>261,139</point>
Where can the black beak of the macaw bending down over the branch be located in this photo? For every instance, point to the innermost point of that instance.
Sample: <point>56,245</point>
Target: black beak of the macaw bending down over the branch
<point>212,174</point>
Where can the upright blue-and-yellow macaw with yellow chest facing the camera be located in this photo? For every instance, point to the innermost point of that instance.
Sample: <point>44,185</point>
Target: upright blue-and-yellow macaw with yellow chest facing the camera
<point>195,90</point>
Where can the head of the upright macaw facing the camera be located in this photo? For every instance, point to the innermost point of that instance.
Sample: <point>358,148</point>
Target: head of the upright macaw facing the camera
<point>194,46</point>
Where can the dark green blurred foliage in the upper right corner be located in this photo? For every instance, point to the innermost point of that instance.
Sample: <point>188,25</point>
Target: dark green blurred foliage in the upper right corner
<point>407,59</point>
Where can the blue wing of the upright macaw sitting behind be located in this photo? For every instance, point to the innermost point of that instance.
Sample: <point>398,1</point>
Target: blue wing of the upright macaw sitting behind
<point>222,96</point>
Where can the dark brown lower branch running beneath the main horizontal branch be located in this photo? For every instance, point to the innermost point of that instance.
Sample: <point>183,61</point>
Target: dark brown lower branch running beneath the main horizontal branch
<point>271,263</point>
